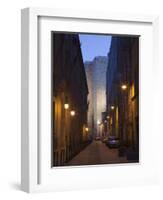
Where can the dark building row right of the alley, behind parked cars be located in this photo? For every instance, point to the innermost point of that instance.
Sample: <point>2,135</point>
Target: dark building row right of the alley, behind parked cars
<point>122,91</point>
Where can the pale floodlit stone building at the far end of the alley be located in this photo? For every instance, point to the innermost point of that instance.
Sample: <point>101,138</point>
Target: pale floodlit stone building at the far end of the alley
<point>96,78</point>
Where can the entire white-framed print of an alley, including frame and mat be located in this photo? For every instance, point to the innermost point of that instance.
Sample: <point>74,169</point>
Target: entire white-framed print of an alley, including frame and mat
<point>87,110</point>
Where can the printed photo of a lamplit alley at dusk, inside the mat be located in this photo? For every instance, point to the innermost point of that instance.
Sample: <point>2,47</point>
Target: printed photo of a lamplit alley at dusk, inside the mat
<point>95,99</point>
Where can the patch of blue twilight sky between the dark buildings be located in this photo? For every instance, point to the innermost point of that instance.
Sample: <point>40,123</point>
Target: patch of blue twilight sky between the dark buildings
<point>94,45</point>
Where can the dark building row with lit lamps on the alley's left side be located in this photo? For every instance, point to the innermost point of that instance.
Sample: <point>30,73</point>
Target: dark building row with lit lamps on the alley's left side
<point>70,90</point>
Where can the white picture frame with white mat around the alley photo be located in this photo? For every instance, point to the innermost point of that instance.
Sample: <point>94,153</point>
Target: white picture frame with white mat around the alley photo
<point>36,175</point>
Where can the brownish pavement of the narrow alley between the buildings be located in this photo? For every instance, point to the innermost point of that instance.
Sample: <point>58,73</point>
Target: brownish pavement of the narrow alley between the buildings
<point>97,153</point>
